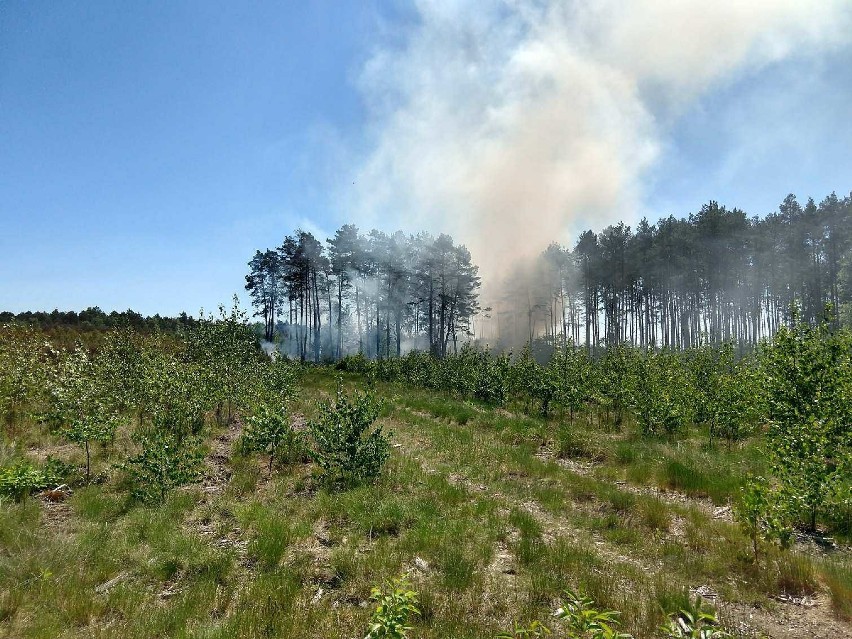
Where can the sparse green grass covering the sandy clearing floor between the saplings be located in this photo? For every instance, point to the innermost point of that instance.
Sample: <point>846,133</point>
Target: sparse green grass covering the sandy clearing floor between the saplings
<point>492,513</point>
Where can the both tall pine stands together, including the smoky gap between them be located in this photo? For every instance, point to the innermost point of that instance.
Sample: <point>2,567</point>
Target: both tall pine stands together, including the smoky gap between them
<point>712,277</point>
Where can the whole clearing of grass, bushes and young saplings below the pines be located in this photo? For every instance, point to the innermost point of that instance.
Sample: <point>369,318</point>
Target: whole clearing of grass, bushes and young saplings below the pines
<point>186,485</point>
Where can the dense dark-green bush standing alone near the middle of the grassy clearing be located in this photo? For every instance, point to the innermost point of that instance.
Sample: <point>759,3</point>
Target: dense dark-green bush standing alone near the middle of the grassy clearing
<point>344,447</point>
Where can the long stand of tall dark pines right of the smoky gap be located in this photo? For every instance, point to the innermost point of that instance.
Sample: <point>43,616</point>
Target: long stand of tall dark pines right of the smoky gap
<point>712,277</point>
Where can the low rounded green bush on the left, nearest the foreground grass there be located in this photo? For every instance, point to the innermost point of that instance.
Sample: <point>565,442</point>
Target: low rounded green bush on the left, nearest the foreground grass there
<point>164,462</point>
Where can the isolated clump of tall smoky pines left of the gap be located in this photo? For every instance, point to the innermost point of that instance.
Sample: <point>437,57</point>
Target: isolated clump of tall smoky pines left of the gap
<point>378,294</point>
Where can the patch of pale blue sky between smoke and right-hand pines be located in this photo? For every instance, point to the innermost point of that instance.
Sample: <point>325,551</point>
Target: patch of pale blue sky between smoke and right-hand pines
<point>782,130</point>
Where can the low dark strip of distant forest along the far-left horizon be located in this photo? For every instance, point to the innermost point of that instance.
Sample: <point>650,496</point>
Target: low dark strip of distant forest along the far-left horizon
<point>94,319</point>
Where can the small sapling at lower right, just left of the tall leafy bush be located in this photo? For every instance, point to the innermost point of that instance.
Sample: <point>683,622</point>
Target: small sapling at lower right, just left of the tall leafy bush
<point>762,515</point>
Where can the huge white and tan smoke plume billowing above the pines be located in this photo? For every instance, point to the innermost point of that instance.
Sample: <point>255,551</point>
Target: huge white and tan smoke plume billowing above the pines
<point>508,123</point>
